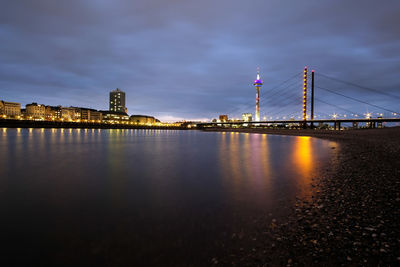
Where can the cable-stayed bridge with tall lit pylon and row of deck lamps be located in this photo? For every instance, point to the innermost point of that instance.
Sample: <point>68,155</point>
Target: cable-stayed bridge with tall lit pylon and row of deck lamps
<point>316,99</point>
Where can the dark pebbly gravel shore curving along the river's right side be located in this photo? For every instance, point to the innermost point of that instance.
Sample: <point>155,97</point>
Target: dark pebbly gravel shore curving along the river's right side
<point>352,218</point>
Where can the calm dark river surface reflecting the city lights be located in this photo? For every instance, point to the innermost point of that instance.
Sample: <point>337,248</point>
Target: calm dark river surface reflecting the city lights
<point>112,197</point>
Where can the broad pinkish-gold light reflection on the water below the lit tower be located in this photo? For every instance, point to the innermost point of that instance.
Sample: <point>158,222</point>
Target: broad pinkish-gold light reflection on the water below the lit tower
<point>245,166</point>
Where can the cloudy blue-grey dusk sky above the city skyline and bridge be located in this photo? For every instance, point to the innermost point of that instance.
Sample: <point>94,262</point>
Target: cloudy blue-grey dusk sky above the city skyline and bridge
<point>183,59</point>
